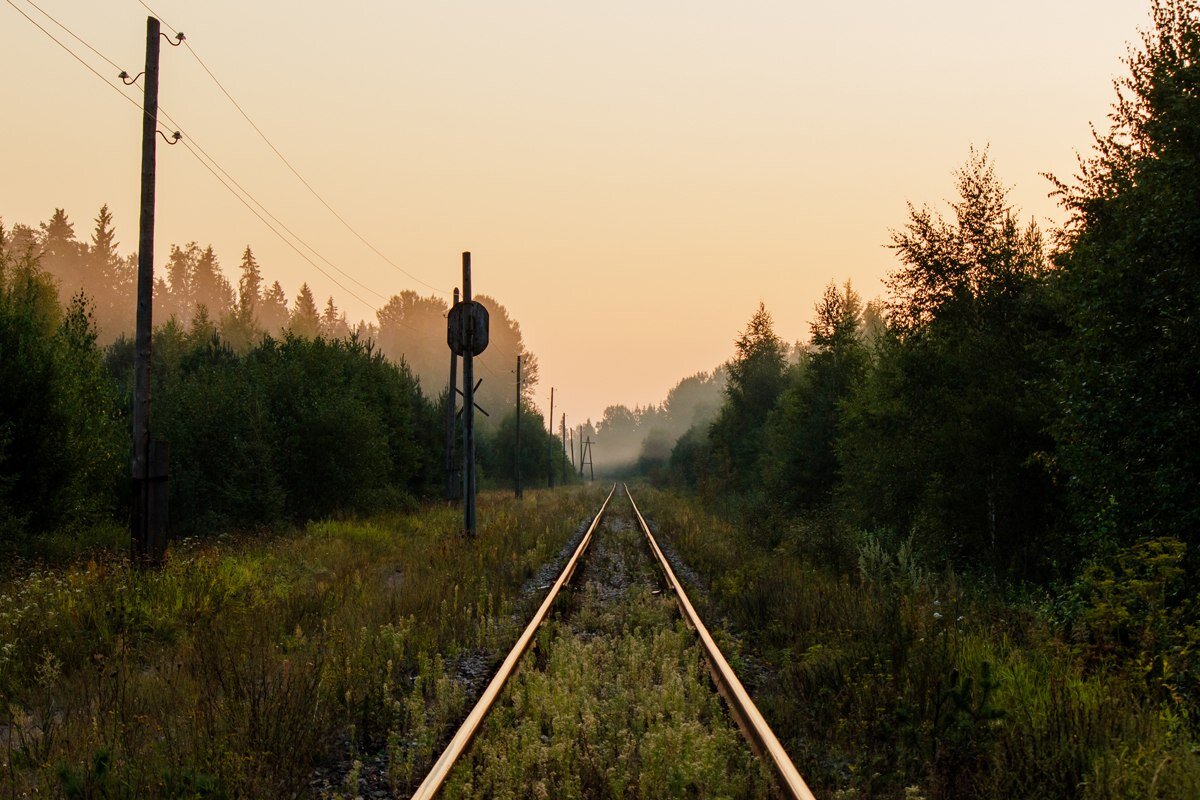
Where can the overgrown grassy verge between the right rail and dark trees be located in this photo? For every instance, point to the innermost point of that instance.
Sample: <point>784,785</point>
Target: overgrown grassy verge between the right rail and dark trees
<point>892,682</point>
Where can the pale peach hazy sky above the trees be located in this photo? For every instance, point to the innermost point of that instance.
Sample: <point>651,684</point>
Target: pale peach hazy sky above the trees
<point>633,178</point>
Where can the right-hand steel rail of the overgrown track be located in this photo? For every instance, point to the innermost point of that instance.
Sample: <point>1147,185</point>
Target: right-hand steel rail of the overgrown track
<point>747,714</point>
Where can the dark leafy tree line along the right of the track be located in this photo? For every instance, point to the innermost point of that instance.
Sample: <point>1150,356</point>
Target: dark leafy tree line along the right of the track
<point>1021,402</point>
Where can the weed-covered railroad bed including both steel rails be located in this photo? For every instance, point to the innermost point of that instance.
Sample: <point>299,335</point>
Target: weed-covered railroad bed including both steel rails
<point>614,697</point>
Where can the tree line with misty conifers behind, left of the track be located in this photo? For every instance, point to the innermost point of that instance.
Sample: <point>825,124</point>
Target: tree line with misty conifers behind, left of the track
<point>274,412</point>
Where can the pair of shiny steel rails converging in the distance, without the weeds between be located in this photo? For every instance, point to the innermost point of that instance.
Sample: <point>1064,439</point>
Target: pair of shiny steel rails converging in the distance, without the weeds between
<point>752,723</point>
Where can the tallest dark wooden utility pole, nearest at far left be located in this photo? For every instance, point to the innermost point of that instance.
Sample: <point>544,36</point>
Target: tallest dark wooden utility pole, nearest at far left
<point>149,519</point>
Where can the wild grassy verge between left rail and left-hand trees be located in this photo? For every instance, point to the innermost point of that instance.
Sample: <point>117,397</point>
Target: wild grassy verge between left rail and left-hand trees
<point>247,663</point>
